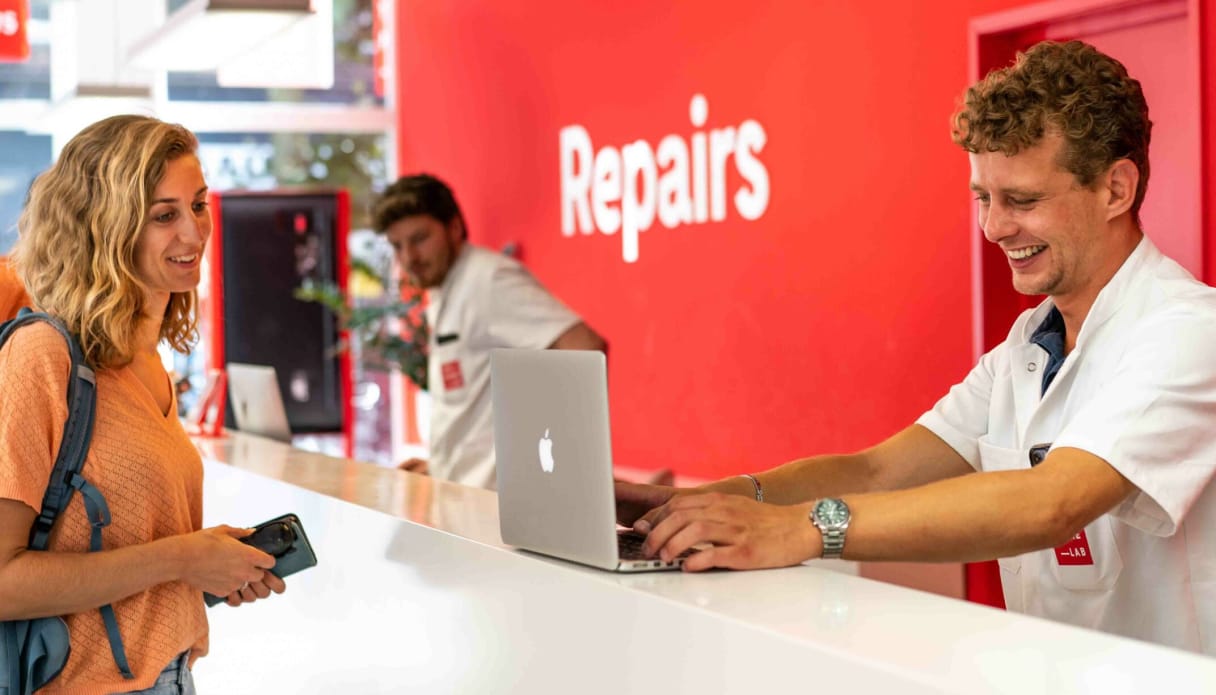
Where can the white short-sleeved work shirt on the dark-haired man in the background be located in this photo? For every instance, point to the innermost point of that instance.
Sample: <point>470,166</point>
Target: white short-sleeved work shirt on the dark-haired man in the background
<point>488,301</point>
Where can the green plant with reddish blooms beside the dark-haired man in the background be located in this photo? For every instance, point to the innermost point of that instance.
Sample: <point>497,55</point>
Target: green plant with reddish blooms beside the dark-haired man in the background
<point>370,324</point>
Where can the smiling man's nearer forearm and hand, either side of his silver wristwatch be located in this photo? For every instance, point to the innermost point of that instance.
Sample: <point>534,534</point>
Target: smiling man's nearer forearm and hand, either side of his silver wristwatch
<point>966,518</point>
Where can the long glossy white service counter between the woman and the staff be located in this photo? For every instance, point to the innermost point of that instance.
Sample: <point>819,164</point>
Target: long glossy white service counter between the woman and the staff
<point>415,594</point>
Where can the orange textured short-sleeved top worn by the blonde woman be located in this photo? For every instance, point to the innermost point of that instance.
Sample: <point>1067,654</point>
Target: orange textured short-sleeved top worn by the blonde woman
<point>153,479</point>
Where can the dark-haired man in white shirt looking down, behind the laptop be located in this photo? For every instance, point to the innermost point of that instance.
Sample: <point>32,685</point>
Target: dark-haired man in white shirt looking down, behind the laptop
<point>478,300</point>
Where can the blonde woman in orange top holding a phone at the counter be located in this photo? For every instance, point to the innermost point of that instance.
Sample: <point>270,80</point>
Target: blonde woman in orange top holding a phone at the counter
<point>111,242</point>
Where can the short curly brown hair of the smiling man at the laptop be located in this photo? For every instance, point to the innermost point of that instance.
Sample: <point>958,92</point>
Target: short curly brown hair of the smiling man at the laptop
<point>1071,89</point>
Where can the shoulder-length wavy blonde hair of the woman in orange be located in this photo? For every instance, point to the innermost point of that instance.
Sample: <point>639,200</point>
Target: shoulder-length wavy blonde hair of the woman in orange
<point>77,235</point>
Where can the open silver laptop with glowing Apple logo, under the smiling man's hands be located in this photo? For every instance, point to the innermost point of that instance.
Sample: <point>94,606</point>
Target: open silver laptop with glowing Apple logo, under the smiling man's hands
<point>554,453</point>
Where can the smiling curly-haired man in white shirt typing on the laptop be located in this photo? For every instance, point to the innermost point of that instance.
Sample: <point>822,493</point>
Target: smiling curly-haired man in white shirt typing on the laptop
<point>1080,451</point>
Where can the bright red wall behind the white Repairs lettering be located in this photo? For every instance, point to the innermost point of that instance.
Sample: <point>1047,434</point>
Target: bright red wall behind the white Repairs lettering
<point>835,319</point>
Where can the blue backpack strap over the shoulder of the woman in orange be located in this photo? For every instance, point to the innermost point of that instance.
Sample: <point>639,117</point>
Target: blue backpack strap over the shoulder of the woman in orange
<point>66,476</point>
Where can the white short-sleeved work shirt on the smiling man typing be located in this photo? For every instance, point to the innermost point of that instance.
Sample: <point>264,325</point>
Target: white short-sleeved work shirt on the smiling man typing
<point>1139,392</point>
